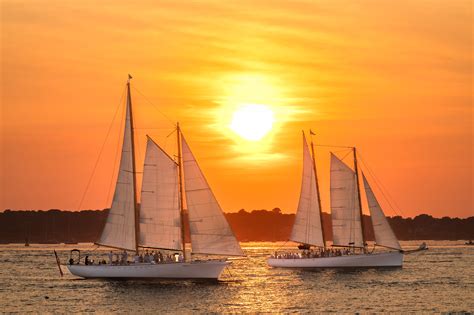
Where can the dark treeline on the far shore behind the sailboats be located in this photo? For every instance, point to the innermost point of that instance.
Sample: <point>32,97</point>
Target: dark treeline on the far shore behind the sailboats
<point>56,226</point>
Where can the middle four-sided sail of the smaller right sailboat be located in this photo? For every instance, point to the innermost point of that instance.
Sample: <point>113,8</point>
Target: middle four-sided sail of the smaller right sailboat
<point>345,213</point>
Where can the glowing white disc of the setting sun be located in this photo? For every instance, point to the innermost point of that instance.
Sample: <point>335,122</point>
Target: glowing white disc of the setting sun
<point>252,121</point>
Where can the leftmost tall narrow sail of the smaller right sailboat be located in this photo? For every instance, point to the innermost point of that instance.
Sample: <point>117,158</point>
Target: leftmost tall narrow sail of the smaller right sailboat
<point>307,226</point>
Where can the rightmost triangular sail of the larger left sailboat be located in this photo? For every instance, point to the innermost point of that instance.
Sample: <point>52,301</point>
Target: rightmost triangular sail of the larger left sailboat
<point>210,232</point>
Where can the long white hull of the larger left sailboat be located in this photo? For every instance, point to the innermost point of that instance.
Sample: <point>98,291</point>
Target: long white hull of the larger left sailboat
<point>210,269</point>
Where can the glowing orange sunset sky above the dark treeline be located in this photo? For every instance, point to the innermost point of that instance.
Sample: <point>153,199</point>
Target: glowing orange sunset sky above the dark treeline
<point>393,78</point>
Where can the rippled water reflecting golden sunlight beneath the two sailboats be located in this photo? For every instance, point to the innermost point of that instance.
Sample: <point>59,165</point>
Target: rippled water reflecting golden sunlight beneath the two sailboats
<point>438,280</point>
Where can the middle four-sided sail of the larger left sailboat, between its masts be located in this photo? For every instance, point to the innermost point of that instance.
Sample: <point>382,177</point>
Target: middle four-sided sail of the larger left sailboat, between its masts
<point>160,217</point>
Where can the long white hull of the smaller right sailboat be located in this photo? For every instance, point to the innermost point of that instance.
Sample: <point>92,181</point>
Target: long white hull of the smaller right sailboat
<point>387,259</point>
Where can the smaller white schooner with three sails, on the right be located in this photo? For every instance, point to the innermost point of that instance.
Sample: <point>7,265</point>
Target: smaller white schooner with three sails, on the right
<point>348,227</point>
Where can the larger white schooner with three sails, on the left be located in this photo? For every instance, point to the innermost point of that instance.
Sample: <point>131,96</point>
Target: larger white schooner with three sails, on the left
<point>159,222</point>
